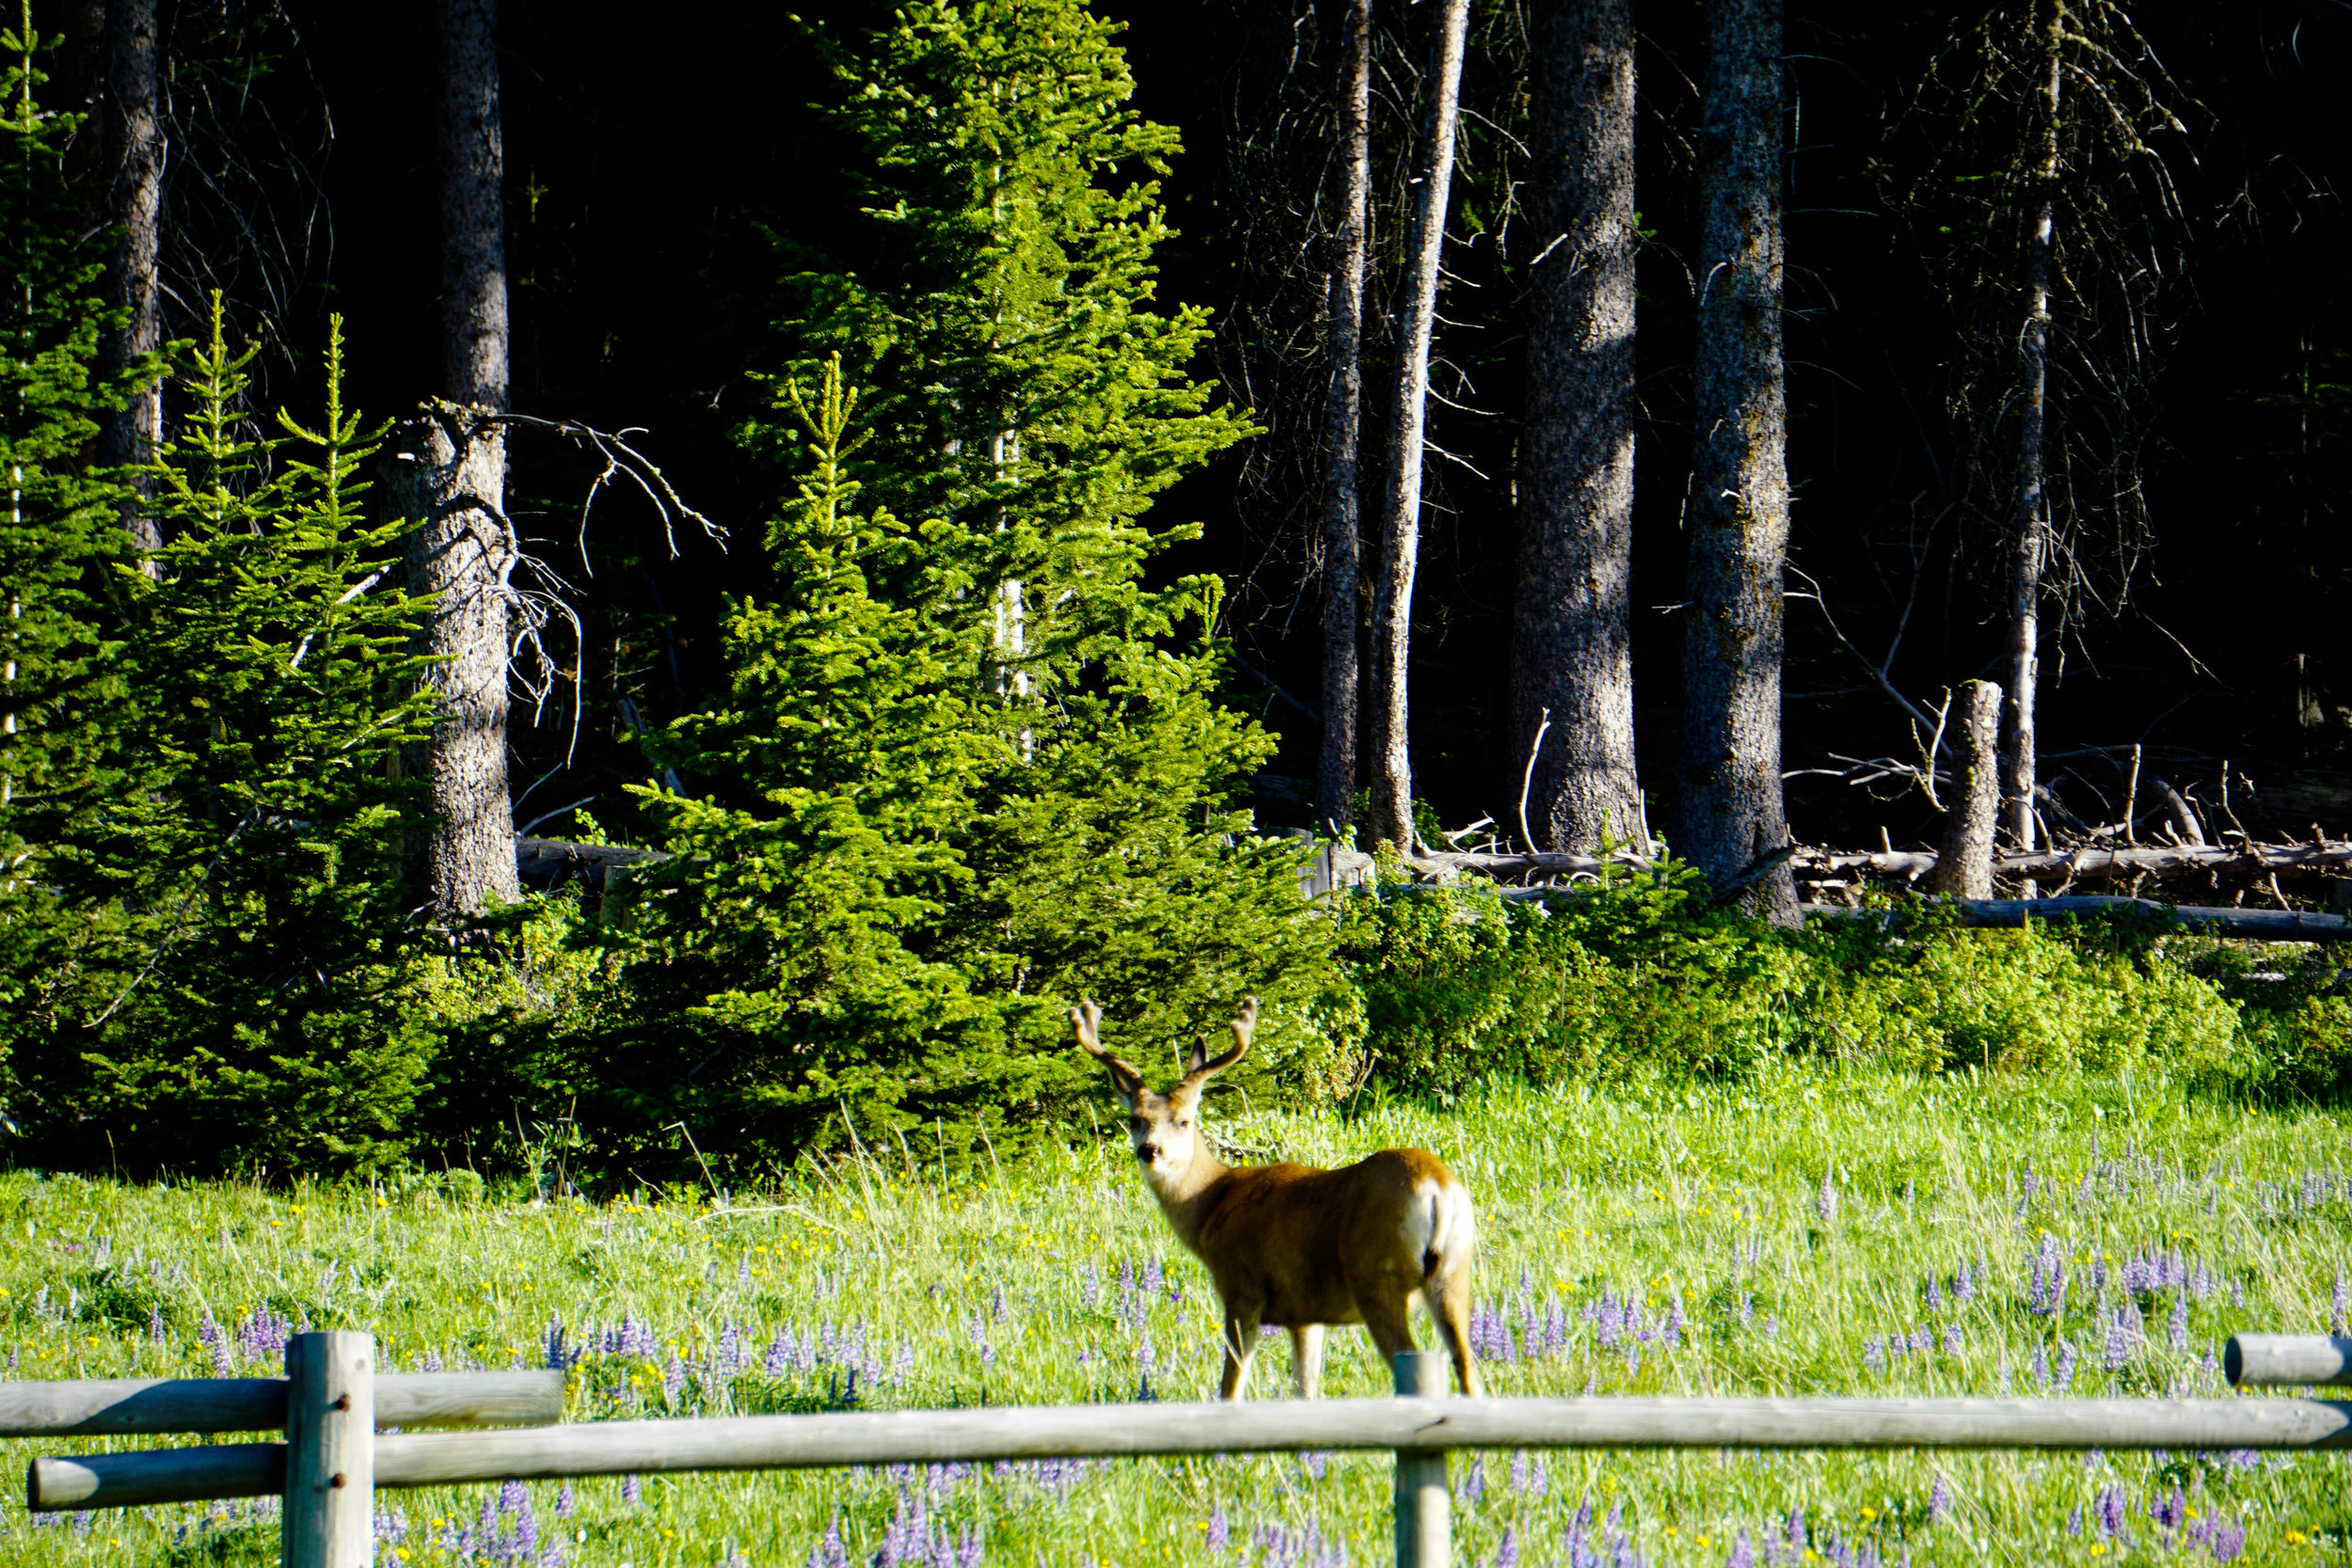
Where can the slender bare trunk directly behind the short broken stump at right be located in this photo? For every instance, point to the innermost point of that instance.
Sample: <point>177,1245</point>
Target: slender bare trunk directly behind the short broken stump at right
<point>2029,525</point>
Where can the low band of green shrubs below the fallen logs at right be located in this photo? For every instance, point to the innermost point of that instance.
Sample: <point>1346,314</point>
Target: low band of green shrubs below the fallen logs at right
<point>1641,974</point>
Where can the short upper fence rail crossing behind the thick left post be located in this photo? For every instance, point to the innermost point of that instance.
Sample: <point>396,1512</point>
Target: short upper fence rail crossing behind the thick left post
<point>133,1407</point>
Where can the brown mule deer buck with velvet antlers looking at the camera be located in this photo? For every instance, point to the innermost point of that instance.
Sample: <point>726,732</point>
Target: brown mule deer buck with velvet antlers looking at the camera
<point>1292,1245</point>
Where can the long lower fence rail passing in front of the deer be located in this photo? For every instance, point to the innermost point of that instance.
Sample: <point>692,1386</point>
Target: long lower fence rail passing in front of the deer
<point>1029,1433</point>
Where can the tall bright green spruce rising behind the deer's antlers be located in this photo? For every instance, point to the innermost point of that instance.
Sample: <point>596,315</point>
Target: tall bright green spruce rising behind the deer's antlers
<point>977,765</point>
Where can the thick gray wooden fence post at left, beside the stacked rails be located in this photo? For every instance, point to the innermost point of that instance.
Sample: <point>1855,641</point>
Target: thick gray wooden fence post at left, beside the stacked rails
<point>330,1513</point>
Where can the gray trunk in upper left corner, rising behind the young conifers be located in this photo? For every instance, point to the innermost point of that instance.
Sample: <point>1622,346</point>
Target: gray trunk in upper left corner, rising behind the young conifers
<point>135,149</point>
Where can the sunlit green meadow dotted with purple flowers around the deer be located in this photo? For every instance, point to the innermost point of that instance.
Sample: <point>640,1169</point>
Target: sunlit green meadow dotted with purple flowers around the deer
<point>1810,1233</point>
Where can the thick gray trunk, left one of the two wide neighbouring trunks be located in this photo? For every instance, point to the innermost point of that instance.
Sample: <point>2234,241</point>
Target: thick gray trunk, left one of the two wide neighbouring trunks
<point>1572,650</point>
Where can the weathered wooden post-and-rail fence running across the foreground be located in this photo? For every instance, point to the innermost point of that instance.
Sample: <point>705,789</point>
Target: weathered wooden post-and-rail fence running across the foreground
<point>333,1461</point>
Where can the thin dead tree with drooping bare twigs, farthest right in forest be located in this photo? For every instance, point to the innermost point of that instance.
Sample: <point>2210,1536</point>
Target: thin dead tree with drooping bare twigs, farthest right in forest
<point>2047,199</point>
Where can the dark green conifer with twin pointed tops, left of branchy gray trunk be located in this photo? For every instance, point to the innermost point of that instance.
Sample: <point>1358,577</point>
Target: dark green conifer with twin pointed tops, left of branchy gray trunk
<point>253,974</point>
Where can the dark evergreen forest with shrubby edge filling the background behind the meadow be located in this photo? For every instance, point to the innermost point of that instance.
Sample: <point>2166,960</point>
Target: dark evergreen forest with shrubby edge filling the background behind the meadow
<point>646,598</point>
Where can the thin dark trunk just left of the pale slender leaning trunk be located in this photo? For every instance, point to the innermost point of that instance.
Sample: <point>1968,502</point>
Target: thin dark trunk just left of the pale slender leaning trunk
<point>1344,420</point>
